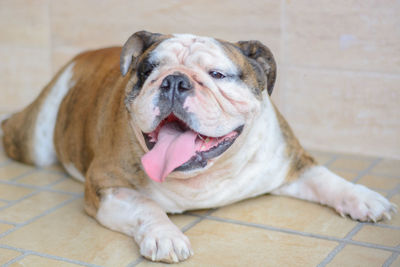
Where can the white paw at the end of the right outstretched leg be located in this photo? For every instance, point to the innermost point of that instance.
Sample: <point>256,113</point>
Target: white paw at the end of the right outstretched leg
<point>363,204</point>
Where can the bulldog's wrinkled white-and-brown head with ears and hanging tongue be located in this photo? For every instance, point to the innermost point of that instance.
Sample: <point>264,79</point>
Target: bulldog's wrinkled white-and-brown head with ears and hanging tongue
<point>191,98</point>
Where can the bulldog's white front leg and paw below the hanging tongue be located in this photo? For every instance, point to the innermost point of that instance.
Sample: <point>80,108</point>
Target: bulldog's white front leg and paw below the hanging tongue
<point>127,211</point>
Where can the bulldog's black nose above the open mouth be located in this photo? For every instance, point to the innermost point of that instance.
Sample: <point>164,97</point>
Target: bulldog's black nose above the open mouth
<point>176,85</point>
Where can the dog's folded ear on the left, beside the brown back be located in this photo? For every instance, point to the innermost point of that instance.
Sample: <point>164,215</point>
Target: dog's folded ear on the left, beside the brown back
<point>135,46</point>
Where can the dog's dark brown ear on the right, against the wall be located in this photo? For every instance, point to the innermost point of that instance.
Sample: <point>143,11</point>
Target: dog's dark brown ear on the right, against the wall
<point>261,54</point>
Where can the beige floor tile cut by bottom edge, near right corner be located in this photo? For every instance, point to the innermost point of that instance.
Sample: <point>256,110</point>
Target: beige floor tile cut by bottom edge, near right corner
<point>360,256</point>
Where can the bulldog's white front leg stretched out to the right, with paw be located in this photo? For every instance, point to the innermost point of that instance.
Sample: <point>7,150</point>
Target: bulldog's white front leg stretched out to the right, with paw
<point>320,185</point>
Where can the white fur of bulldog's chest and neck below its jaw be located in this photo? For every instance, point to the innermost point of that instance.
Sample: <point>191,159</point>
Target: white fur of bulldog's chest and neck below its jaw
<point>256,166</point>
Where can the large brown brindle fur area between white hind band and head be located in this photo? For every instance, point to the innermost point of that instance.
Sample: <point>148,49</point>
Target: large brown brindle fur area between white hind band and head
<point>93,131</point>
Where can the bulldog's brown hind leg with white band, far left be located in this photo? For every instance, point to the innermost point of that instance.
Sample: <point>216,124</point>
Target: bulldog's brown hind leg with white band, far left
<point>28,135</point>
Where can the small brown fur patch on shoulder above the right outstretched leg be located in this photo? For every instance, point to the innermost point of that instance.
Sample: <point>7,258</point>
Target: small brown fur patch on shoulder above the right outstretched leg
<point>300,159</point>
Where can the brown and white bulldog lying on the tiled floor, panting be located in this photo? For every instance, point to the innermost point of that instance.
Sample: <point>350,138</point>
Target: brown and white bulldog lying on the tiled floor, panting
<point>170,123</point>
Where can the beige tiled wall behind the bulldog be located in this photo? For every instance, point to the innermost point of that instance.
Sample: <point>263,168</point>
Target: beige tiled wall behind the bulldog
<point>338,61</point>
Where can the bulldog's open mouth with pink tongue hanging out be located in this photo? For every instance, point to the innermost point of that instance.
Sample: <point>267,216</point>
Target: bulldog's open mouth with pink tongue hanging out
<point>174,146</point>
